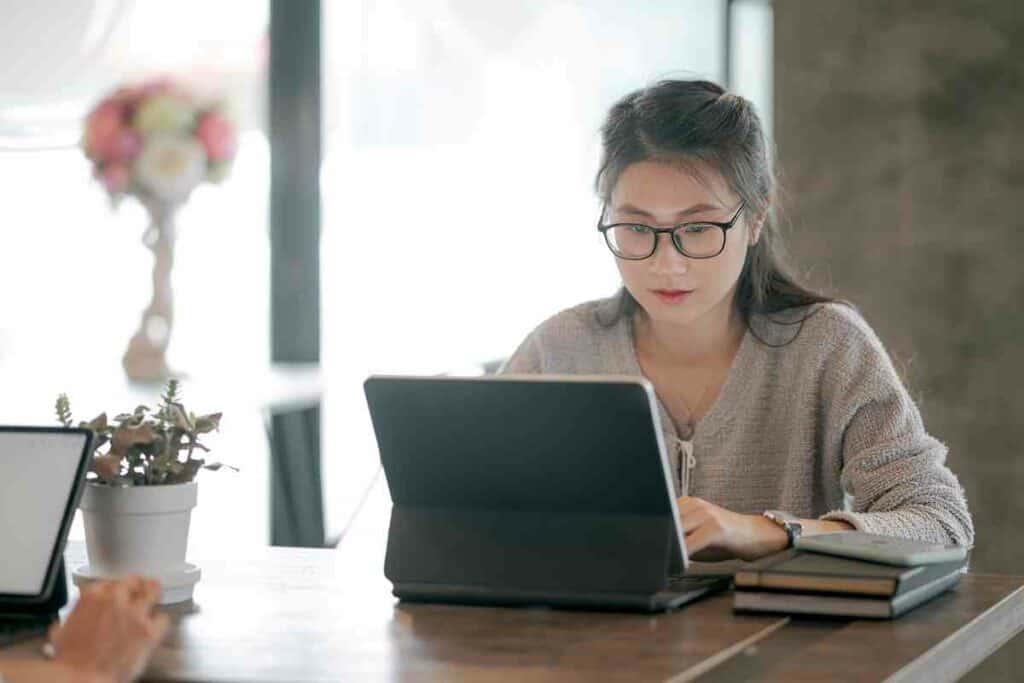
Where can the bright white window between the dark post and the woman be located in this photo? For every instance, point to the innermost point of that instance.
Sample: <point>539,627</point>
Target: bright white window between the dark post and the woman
<point>462,140</point>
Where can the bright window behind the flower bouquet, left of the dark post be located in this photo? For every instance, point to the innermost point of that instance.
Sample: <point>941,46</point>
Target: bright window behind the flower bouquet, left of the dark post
<point>74,274</point>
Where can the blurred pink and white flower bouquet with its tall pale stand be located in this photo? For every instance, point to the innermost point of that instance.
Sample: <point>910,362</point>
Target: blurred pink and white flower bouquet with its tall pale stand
<point>157,143</point>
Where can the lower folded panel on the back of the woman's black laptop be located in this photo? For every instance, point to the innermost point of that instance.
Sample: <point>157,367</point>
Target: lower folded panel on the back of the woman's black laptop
<point>546,552</point>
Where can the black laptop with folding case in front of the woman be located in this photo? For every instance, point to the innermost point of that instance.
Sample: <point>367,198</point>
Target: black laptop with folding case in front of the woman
<point>538,490</point>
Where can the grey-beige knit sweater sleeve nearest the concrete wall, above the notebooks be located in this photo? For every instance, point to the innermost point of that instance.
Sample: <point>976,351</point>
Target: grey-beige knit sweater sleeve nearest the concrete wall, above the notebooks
<point>893,469</point>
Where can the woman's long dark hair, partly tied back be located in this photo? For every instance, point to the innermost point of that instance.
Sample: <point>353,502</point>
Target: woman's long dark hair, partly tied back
<point>698,123</point>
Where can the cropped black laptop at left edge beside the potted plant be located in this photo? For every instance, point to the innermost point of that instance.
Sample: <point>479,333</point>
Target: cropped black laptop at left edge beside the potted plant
<point>42,474</point>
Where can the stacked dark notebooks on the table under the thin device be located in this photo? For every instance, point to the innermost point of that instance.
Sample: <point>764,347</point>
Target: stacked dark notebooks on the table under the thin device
<point>799,582</point>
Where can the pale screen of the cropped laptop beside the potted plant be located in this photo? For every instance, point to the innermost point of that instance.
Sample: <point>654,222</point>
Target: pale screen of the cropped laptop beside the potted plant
<point>39,472</point>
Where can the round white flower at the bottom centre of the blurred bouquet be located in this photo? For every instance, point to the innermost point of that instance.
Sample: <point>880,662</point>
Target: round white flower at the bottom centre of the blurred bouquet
<point>170,167</point>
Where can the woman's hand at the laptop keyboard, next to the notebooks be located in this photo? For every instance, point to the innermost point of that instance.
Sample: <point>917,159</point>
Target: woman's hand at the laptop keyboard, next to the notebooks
<point>716,534</point>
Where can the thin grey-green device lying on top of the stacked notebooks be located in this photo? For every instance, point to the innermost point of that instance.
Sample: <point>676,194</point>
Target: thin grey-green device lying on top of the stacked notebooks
<point>885,549</point>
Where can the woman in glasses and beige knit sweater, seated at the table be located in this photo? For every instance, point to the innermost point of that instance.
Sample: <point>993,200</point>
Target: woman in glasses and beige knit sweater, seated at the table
<point>772,397</point>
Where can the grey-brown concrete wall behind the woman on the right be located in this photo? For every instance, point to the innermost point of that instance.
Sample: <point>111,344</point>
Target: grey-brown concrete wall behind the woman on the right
<point>901,135</point>
